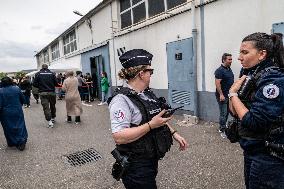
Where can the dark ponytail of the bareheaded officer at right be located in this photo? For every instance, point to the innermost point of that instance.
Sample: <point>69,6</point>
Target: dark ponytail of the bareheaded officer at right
<point>278,49</point>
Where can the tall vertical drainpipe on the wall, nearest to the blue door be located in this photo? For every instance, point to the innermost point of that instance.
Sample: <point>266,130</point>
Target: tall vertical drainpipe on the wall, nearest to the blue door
<point>194,41</point>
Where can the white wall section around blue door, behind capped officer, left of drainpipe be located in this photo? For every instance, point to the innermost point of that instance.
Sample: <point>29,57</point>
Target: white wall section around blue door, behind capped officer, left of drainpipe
<point>153,38</point>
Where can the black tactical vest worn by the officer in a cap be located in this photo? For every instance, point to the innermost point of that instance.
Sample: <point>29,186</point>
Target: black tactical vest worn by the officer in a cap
<point>155,143</point>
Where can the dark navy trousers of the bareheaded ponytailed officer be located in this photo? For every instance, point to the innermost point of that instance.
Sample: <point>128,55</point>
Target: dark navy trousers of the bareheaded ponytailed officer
<point>263,171</point>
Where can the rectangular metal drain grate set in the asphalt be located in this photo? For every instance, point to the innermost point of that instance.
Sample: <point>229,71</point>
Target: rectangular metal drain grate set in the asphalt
<point>82,157</point>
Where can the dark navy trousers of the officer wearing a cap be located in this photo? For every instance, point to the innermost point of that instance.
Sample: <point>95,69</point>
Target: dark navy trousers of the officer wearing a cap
<point>141,174</point>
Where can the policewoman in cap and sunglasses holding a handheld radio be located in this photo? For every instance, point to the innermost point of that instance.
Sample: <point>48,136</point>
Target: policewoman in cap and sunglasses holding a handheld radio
<point>139,130</point>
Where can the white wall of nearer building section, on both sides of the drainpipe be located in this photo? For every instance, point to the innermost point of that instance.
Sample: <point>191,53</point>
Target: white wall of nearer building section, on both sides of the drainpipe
<point>226,23</point>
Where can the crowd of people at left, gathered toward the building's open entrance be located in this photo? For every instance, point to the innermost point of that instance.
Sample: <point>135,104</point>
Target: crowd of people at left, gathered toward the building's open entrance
<point>46,87</point>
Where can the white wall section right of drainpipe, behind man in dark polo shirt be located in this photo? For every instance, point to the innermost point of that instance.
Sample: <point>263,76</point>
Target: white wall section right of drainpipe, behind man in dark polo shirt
<point>228,22</point>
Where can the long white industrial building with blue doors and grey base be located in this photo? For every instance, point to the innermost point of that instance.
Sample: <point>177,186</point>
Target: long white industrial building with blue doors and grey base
<point>187,39</point>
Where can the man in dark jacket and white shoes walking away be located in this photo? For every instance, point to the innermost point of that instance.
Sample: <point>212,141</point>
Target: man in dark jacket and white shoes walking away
<point>45,81</point>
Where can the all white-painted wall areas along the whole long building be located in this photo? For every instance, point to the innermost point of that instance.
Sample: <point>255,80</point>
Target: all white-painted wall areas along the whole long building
<point>226,23</point>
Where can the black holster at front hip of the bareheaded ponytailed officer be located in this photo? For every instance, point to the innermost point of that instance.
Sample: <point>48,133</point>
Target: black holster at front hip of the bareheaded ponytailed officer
<point>231,131</point>
